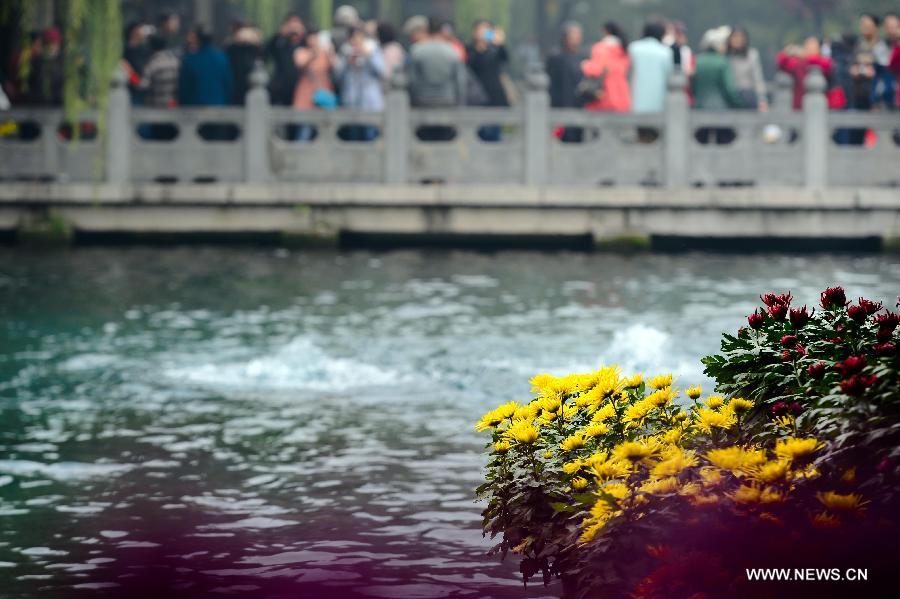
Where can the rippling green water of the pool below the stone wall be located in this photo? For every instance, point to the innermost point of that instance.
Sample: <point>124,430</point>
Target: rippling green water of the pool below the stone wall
<point>265,422</point>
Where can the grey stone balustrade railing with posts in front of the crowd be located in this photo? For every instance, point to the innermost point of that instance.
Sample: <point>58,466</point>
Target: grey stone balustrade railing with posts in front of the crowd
<point>261,143</point>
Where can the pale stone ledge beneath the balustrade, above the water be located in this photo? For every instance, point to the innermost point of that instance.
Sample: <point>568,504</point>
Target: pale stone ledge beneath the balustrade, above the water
<point>324,212</point>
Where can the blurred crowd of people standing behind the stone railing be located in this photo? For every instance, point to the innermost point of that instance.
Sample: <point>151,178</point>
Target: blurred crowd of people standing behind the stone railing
<point>354,62</point>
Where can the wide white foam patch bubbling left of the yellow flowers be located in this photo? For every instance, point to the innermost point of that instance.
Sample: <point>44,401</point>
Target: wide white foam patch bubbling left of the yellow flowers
<point>298,365</point>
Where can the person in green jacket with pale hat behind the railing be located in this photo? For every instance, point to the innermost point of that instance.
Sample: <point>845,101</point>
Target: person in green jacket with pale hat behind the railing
<point>713,85</point>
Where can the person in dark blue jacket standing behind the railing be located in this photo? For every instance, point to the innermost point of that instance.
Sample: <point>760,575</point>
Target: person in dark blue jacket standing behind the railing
<point>205,78</point>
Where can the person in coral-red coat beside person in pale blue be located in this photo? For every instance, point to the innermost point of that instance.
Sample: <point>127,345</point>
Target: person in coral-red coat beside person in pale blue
<point>609,63</point>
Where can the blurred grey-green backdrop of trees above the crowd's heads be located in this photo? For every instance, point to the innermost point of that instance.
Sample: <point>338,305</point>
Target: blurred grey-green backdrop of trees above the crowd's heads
<point>532,25</point>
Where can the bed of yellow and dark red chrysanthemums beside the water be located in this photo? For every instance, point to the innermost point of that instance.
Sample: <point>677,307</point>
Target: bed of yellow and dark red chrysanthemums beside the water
<point>626,486</point>
